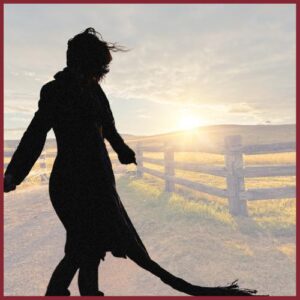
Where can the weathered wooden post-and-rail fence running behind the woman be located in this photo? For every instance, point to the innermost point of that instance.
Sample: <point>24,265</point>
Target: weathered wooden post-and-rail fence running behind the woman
<point>234,170</point>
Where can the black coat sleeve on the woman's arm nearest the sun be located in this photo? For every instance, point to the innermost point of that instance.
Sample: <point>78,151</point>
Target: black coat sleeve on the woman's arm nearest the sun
<point>109,127</point>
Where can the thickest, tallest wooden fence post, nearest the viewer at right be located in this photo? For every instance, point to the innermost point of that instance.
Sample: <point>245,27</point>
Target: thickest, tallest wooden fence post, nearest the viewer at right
<point>235,177</point>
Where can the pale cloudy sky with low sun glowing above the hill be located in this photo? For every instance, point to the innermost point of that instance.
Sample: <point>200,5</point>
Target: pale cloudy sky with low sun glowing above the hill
<point>188,65</point>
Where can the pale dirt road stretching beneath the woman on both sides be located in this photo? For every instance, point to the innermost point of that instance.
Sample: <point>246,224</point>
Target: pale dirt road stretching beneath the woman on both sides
<point>34,243</point>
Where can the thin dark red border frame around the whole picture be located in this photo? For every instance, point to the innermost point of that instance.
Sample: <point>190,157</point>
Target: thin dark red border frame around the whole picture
<point>3,2</point>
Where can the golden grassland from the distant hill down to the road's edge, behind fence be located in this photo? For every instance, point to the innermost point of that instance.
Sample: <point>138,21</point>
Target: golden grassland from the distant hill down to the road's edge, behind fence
<point>273,216</point>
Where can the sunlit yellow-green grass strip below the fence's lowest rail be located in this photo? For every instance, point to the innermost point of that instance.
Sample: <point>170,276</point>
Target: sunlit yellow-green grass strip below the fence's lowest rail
<point>276,217</point>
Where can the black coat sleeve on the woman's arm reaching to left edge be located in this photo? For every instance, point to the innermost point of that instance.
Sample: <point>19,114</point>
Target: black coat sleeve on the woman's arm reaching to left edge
<point>33,140</point>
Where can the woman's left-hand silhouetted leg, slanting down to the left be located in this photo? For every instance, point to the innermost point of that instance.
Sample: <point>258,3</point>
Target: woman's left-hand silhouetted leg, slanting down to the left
<point>62,277</point>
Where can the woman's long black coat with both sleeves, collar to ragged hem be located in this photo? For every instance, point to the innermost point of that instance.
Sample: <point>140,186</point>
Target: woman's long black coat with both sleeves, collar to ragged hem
<point>82,185</point>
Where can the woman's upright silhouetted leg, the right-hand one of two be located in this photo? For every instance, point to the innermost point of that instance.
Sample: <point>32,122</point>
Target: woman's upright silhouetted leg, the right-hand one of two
<point>88,277</point>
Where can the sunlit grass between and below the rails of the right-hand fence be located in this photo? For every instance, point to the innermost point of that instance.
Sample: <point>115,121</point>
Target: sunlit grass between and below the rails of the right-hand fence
<point>275,217</point>
